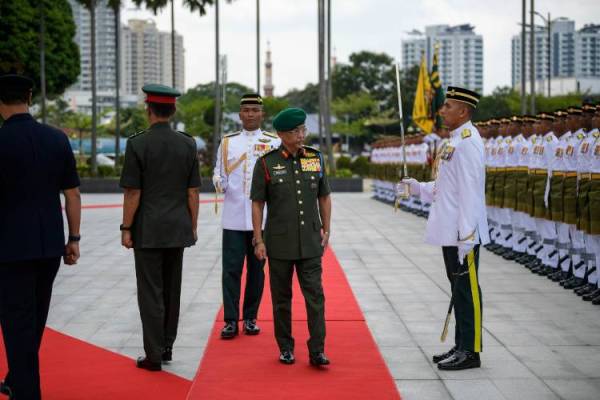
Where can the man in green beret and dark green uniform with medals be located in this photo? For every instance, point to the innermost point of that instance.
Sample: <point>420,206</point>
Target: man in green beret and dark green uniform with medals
<point>291,181</point>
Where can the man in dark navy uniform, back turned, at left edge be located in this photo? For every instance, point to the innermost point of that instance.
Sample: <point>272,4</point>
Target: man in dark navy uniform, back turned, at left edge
<point>36,164</point>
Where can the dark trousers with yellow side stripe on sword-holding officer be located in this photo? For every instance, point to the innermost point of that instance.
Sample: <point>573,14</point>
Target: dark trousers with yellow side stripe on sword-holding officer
<point>464,282</point>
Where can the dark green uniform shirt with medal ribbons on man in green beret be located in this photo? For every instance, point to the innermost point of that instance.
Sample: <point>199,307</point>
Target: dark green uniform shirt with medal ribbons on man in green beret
<point>291,186</point>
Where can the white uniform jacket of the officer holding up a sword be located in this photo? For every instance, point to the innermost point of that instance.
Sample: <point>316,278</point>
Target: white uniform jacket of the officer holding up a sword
<point>458,212</point>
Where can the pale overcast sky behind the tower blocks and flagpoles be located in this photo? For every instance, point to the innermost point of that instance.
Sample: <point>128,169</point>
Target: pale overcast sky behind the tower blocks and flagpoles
<point>375,25</point>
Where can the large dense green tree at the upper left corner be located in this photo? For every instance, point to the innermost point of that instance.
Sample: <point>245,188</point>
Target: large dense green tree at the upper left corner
<point>19,43</point>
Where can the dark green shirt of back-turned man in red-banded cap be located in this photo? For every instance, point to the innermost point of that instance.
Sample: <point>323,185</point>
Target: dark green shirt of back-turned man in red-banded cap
<point>163,163</point>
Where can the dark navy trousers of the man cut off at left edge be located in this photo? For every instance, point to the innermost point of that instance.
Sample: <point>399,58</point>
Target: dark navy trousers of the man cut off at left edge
<point>25,293</point>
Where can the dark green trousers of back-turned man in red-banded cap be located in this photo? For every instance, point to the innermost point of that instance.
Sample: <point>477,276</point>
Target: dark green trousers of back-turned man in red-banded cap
<point>158,274</point>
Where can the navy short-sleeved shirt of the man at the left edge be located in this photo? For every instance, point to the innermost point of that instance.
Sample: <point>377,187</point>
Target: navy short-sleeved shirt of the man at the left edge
<point>36,163</point>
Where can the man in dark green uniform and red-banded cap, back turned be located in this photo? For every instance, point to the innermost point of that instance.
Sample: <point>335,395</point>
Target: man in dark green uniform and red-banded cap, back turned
<point>160,213</point>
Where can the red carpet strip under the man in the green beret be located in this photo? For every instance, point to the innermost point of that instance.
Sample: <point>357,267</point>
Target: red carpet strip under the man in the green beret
<point>248,368</point>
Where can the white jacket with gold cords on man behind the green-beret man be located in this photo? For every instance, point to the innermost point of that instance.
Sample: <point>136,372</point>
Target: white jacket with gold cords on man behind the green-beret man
<point>236,157</point>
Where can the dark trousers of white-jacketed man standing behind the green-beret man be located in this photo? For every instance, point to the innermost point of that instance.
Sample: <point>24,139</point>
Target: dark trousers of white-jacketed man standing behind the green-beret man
<point>237,247</point>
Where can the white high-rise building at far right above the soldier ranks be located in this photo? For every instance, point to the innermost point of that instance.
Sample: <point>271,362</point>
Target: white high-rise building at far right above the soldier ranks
<point>571,58</point>
